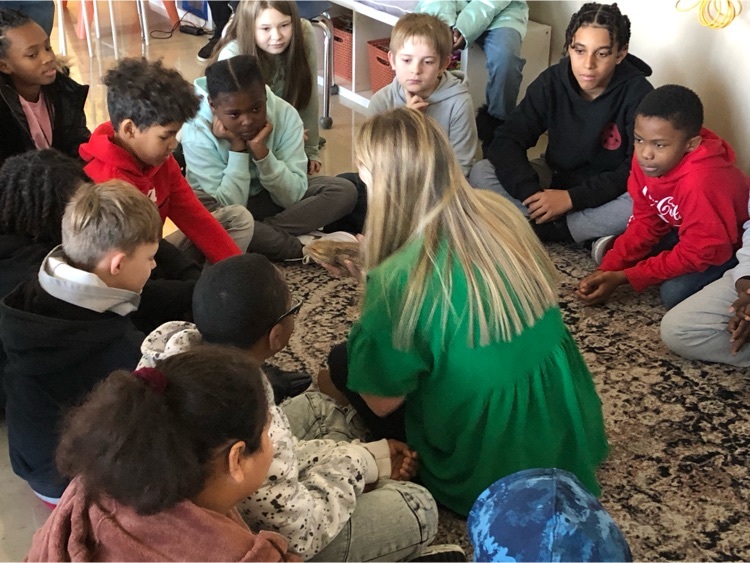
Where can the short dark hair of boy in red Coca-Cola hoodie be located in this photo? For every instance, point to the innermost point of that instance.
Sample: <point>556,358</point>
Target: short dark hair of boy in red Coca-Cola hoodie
<point>679,105</point>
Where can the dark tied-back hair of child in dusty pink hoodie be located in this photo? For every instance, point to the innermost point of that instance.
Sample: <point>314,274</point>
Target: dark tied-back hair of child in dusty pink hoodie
<point>151,450</point>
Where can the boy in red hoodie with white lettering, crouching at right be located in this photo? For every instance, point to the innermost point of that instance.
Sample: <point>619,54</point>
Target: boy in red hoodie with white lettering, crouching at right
<point>689,204</point>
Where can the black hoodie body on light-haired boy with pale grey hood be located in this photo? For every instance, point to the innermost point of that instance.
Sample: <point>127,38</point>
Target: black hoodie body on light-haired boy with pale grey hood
<point>57,352</point>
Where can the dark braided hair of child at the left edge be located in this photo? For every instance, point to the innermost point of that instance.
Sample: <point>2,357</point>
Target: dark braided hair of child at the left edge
<point>35,187</point>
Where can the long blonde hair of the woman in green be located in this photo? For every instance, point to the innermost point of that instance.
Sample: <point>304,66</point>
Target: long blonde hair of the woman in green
<point>418,192</point>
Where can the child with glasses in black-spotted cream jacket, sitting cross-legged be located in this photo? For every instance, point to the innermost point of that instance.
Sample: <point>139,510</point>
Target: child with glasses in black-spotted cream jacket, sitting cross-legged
<point>314,495</point>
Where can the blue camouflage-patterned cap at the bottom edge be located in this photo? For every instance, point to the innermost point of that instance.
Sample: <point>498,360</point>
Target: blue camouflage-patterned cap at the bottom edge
<point>543,515</point>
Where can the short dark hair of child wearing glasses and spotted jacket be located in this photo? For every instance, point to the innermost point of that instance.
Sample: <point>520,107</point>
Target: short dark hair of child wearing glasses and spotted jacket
<point>236,300</point>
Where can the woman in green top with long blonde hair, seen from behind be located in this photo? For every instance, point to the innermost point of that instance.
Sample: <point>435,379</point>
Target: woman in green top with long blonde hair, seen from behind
<point>460,338</point>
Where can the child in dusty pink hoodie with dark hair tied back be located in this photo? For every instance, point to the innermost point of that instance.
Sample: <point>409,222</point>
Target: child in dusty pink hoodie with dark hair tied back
<point>159,457</point>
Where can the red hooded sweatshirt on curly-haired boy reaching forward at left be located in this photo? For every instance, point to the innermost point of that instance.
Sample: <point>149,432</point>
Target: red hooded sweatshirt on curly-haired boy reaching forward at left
<point>164,185</point>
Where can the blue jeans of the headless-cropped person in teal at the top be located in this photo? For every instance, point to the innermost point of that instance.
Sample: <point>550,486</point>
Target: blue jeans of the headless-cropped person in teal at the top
<point>502,48</point>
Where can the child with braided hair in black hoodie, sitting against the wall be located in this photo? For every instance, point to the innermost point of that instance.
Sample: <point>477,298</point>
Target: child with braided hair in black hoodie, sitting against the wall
<point>586,103</point>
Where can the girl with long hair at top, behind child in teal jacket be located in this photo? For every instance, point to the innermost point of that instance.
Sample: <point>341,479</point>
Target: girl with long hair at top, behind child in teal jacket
<point>284,45</point>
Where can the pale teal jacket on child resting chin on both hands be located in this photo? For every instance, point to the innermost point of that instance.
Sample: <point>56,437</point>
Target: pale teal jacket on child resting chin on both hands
<point>233,177</point>
